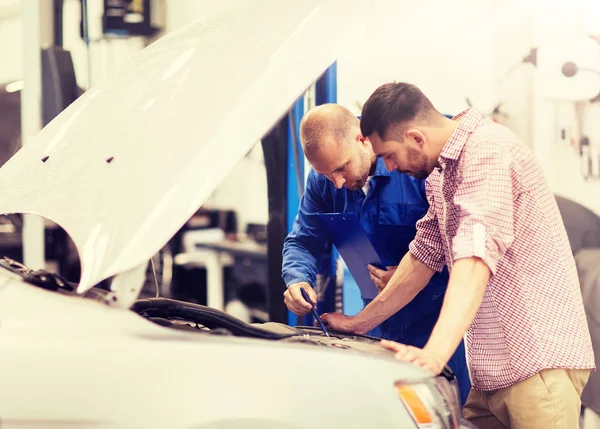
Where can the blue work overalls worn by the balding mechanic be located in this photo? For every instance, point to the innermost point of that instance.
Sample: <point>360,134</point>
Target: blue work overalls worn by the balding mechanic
<point>388,214</point>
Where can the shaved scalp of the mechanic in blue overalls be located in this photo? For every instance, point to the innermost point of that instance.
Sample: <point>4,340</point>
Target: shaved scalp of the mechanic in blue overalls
<point>326,123</point>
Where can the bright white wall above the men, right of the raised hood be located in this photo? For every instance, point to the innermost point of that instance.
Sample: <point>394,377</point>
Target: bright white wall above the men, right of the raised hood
<point>474,49</point>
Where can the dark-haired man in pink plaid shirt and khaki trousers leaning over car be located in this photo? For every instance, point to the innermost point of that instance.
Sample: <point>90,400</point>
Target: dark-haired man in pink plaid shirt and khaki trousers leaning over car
<point>513,290</point>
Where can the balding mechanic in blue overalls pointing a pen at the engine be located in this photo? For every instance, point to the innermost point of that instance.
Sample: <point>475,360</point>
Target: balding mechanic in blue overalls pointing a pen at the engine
<point>347,177</point>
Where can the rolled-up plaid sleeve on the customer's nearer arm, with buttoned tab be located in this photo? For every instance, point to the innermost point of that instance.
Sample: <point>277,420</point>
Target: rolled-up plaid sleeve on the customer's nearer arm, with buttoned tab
<point>484,204</point>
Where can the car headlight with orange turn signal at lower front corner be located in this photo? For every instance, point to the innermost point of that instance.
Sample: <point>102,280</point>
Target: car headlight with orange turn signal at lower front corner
<point>432,403</point>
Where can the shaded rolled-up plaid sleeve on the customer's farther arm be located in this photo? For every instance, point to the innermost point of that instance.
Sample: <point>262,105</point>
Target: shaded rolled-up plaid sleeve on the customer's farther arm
<point>427,245</point>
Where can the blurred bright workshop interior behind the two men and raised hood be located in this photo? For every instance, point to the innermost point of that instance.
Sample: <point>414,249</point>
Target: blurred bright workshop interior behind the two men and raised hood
<point>533,65</point>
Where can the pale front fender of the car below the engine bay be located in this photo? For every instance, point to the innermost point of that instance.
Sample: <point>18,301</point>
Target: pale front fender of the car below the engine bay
<point>76,361</point>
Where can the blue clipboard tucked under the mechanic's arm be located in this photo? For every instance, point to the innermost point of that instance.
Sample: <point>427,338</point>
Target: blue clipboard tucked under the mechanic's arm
<point>354,246</point>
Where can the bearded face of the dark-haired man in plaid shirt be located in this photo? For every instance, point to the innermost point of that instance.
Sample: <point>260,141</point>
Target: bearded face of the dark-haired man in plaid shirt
<point>404,155</point>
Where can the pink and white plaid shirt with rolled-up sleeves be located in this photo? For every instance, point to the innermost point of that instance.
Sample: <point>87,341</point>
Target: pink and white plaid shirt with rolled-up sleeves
<point>489,199</point>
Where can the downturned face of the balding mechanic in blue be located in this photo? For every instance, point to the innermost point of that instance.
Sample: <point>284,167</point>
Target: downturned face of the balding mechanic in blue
<point>343,163</point>
